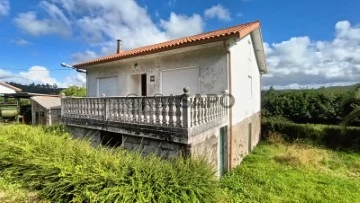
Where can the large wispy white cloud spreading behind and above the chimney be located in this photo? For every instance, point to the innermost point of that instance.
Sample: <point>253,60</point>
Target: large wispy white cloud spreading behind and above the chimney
<point>100,23</point>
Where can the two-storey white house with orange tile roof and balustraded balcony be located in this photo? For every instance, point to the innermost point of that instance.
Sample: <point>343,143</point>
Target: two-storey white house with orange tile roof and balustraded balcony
<point>197,95</point>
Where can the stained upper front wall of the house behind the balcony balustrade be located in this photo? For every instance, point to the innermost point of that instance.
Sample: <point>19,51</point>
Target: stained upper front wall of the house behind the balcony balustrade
<point>212,63</point>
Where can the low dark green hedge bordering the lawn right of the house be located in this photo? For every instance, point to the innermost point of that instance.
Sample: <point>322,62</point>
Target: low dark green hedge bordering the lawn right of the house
<point>330,135</point>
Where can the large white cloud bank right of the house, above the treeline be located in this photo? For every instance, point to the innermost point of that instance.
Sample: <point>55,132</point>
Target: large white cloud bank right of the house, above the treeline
<point>302,62</point>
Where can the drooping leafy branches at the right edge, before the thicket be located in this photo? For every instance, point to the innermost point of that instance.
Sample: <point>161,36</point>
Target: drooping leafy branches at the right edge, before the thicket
<point>353,100</point>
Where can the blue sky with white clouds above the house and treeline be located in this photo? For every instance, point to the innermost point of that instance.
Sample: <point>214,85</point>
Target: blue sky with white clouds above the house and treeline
<point>308,43</point>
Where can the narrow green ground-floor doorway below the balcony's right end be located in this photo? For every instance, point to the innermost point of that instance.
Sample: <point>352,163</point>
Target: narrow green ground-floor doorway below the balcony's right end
<point>224,153</point>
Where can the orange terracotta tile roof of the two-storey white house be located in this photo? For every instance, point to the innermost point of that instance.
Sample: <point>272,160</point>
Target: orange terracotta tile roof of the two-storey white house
<point>213,36</point>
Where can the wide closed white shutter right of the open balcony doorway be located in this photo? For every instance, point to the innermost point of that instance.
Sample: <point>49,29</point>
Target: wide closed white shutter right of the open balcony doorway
<point>174,81</point>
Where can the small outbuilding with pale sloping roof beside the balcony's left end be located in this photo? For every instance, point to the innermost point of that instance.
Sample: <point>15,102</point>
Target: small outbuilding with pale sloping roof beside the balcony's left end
<point>46,110</point>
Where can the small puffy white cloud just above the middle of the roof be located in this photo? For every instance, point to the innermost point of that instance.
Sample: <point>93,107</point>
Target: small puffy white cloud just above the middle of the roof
<point>181,25</point>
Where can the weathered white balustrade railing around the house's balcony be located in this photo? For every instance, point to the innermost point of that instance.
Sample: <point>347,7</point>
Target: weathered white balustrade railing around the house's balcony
<point>182,111</point>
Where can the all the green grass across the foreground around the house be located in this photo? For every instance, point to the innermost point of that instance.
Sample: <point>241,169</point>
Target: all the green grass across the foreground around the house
<point>41,166</point>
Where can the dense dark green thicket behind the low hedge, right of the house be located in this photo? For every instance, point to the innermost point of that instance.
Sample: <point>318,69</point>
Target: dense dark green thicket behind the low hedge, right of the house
<point>322,106</point>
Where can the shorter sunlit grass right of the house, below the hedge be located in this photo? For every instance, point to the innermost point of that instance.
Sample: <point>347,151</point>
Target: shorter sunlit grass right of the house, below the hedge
<point>278,171</point>
